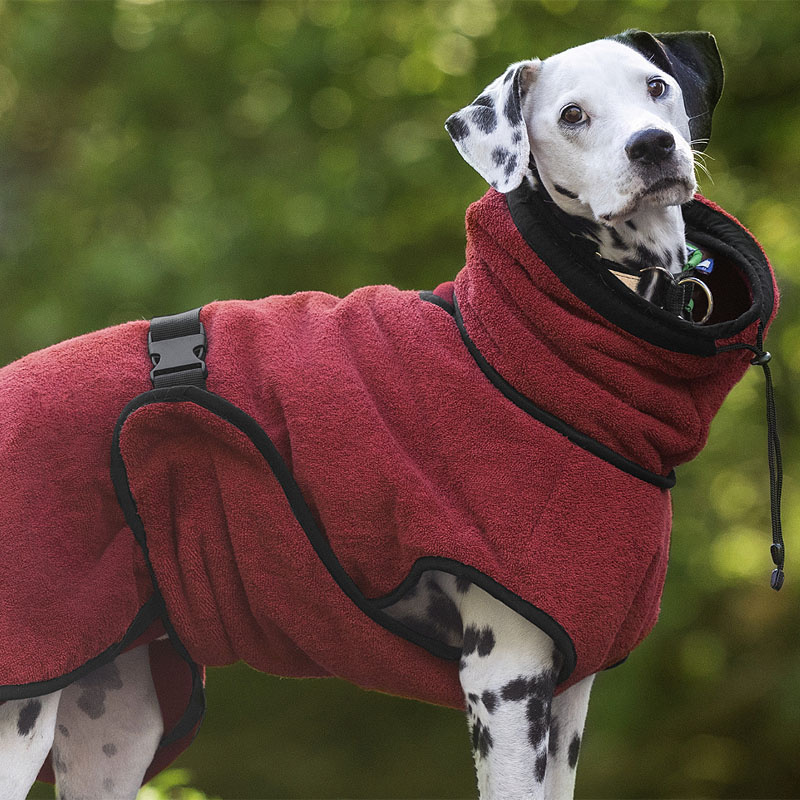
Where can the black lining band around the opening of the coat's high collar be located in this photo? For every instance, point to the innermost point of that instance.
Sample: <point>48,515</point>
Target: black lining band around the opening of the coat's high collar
<point>574,261</point>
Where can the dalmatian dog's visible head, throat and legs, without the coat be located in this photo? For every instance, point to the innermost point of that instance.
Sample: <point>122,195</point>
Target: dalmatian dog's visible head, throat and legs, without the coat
<point>607,132</point>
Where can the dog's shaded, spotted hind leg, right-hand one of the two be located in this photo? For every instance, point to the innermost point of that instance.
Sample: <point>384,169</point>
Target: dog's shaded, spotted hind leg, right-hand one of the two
<point>107,731</point>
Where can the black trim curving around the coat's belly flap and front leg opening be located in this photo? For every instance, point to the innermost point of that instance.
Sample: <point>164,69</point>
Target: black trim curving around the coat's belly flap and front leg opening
<point>372,607</point>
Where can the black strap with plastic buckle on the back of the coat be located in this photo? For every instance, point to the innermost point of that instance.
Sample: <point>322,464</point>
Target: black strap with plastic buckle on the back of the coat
<point>177,346</point>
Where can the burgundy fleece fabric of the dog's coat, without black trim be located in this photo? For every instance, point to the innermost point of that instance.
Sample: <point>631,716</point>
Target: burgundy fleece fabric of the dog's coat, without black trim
<point>402,451</point>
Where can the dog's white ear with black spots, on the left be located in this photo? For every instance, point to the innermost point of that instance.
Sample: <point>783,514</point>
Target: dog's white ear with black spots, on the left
<point>490,133</point>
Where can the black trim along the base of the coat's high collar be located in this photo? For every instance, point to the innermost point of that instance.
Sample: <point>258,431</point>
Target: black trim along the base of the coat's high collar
<point>582,440</point>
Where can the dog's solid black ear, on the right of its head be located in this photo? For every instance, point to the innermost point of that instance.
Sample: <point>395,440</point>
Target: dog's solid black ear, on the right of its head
<point>692,58</point>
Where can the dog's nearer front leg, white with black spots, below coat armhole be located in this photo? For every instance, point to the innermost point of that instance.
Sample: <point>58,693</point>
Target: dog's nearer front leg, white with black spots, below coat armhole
<point>508,672</point>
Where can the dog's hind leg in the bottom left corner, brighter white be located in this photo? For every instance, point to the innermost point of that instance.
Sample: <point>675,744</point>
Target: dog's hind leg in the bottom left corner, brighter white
<point>26,735</point>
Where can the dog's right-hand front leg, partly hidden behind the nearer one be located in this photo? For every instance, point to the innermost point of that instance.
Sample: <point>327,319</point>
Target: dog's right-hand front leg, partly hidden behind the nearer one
<point>566,731</point>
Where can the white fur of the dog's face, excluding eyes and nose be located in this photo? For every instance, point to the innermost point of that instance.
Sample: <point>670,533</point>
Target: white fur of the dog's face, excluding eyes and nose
<point>609,82</point>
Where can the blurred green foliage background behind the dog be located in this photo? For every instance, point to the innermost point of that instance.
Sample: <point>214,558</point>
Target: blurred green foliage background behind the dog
<point>157,155</point>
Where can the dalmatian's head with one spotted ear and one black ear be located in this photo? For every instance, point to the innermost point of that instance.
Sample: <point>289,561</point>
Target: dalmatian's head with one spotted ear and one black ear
<point>608,126</point>
